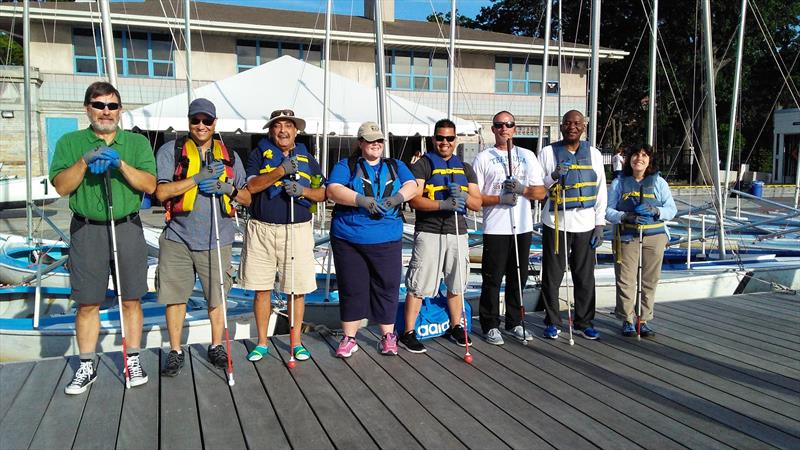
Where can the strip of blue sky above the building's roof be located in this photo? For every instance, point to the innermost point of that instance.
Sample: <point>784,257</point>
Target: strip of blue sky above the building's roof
<point>403,9</point>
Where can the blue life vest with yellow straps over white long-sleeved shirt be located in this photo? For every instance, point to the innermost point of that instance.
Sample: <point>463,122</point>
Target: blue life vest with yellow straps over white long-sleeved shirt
<point>580,183</point>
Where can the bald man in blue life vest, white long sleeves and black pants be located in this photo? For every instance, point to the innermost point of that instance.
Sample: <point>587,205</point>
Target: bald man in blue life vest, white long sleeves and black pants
<point>574,170</point>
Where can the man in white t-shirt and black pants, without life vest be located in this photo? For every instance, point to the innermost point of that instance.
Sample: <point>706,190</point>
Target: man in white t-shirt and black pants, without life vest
<point>503,197</point>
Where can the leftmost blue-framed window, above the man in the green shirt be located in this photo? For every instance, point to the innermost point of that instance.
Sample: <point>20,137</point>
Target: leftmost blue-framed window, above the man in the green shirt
<point>138,53</point>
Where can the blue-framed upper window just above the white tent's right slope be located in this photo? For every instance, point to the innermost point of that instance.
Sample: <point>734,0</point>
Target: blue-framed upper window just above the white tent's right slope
<point>416,71</point>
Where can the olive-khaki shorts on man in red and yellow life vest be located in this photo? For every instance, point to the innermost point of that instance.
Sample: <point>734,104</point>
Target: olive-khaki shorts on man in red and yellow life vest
<point>178,267</point>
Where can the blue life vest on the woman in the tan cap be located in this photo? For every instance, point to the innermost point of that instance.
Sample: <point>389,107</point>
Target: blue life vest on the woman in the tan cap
<point>386,184</point>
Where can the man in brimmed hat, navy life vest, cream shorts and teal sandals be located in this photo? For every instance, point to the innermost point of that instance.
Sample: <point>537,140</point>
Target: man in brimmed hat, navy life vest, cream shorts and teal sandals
<point>284,179</point>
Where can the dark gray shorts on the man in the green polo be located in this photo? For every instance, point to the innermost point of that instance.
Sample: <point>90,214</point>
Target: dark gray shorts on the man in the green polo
<point>91,260</point>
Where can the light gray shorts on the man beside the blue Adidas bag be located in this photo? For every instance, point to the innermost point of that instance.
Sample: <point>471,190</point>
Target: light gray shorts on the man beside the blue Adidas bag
<point>435,255</point>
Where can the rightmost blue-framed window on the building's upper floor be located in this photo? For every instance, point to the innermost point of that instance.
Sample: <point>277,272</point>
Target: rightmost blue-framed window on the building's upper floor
<point>522,76</point>
